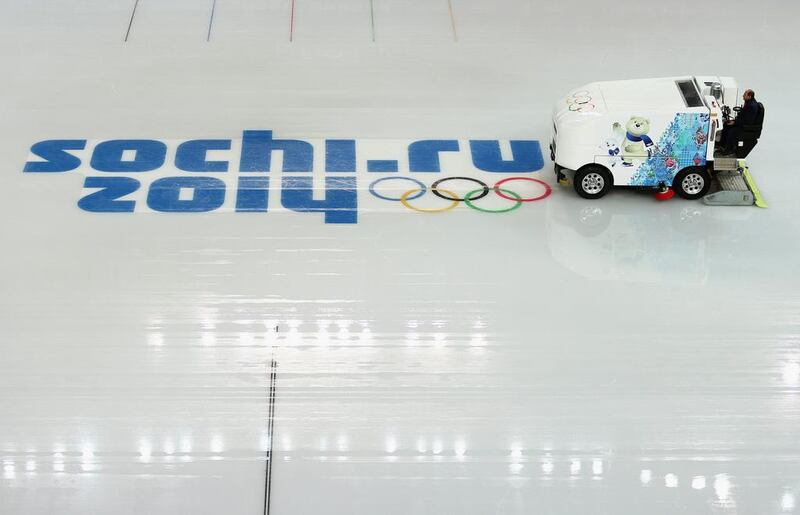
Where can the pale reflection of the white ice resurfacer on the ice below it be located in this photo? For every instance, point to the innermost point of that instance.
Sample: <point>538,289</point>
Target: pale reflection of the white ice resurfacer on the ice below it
<point>632,240</point>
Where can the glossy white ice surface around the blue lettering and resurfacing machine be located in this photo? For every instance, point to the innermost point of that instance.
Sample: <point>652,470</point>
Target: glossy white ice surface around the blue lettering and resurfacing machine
<point>569,357</point>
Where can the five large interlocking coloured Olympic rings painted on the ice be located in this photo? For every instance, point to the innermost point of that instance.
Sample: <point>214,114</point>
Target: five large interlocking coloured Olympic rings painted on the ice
<point>454,200</point>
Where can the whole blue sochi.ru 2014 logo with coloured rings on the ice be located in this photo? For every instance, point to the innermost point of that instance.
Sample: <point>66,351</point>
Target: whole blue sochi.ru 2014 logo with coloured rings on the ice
<point>260,173</point>
